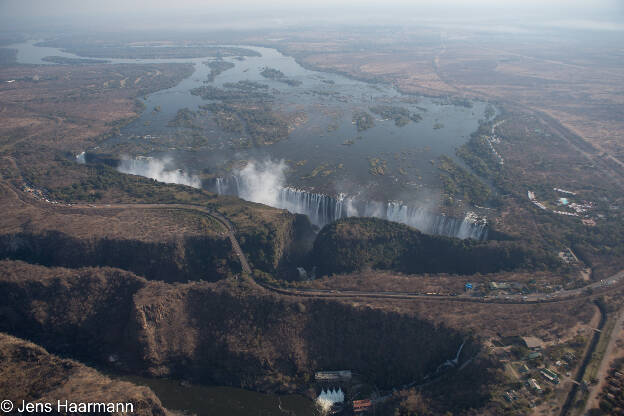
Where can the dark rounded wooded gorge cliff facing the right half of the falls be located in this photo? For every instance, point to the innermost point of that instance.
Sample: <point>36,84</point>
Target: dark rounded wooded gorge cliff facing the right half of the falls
<point>354,244</point>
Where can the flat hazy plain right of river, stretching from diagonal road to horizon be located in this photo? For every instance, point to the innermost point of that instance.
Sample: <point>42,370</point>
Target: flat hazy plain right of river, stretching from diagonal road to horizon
<point>575,79</point>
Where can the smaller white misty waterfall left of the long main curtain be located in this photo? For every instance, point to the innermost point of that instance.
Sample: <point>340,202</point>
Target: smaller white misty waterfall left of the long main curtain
<point>161,170</point>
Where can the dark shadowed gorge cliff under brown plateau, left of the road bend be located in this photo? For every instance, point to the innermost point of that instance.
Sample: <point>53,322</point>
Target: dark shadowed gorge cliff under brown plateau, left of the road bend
<point>180,258</point>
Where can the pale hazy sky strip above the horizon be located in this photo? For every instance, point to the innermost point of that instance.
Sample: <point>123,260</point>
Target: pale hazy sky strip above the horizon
<point>597,14</point>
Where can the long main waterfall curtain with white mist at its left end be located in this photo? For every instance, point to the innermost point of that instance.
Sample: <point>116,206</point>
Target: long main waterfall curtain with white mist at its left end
<point>323,209</point>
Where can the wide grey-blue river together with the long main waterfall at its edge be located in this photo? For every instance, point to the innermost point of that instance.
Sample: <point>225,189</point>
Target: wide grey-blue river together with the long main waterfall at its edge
<point>389,170</point>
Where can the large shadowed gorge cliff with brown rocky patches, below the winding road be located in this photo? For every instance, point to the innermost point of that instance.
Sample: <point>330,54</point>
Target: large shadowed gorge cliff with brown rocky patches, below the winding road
<point>226,333</point>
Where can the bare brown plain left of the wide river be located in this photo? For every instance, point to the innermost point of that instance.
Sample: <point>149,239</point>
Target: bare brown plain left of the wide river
<point>69,107</point>
